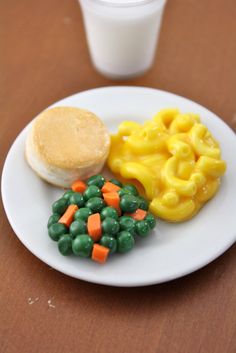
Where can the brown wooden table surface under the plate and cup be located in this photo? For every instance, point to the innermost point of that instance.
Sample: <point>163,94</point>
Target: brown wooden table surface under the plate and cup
<point>44,58</point>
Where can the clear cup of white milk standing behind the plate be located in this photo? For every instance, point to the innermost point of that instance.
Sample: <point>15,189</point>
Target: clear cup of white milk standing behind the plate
<point>122,34</point>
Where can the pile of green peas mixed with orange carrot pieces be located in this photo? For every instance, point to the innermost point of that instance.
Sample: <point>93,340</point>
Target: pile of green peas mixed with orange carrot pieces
<point>97,218</point>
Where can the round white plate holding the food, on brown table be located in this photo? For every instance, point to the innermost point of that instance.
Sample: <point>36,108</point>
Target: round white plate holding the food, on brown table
<point>173,250</point>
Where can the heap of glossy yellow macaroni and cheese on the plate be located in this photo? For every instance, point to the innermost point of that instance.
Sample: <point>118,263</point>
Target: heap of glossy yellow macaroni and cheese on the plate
<point>174,157</point>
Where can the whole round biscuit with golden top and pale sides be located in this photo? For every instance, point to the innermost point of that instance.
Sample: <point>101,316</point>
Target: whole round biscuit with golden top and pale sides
<point>65,144</point>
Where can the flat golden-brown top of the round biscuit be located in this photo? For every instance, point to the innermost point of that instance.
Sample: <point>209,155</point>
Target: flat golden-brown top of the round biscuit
<point>69,137</point>
